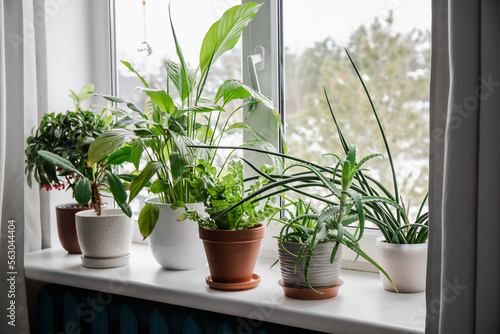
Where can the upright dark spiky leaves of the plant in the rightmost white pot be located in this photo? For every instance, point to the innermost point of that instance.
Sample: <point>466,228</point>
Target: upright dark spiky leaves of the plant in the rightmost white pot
<point>395,227</point>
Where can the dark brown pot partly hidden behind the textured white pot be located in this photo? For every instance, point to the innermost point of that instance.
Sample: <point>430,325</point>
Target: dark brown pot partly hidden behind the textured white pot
<point>65,215</point>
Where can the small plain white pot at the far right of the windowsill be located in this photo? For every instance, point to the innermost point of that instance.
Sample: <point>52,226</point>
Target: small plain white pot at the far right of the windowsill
<point>406,264</point>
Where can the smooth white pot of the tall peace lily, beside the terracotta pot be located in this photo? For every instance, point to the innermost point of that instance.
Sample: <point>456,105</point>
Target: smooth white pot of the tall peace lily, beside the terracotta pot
<point>175,244</point>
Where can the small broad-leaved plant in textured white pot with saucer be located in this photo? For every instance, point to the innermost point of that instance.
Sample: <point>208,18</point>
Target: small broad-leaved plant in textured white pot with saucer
<point>104,235</point>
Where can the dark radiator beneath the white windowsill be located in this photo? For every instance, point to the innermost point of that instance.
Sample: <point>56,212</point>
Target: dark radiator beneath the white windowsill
<point>71,310</point>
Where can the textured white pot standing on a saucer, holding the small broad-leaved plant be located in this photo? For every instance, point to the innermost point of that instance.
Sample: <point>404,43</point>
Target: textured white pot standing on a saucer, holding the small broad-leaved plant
<point>106,236</point>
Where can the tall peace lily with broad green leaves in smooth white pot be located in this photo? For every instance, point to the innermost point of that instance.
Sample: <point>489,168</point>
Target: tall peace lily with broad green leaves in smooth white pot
<point>168,125</point>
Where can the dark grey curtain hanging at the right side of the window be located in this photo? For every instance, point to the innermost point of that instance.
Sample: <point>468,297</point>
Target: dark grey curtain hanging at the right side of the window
<point>463,291</point>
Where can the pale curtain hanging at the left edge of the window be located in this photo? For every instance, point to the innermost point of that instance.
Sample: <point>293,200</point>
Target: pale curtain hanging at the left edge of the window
<point>12,280</point>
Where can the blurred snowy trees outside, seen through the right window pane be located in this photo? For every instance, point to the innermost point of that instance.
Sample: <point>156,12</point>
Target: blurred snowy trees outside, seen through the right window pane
<point>396,68</point>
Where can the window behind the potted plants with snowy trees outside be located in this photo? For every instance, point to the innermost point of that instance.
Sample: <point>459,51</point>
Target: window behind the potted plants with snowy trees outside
<point>303,53</point>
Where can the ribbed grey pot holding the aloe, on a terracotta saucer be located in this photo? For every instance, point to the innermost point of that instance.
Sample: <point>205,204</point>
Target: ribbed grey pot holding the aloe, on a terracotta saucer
<point>322,273</point>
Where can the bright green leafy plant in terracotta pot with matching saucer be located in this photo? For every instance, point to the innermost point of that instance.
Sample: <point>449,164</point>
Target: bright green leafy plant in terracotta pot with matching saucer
<point>231,240</point>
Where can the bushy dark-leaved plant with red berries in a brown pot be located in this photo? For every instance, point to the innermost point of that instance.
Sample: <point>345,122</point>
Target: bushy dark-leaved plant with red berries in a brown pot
<point>68,135</point>
